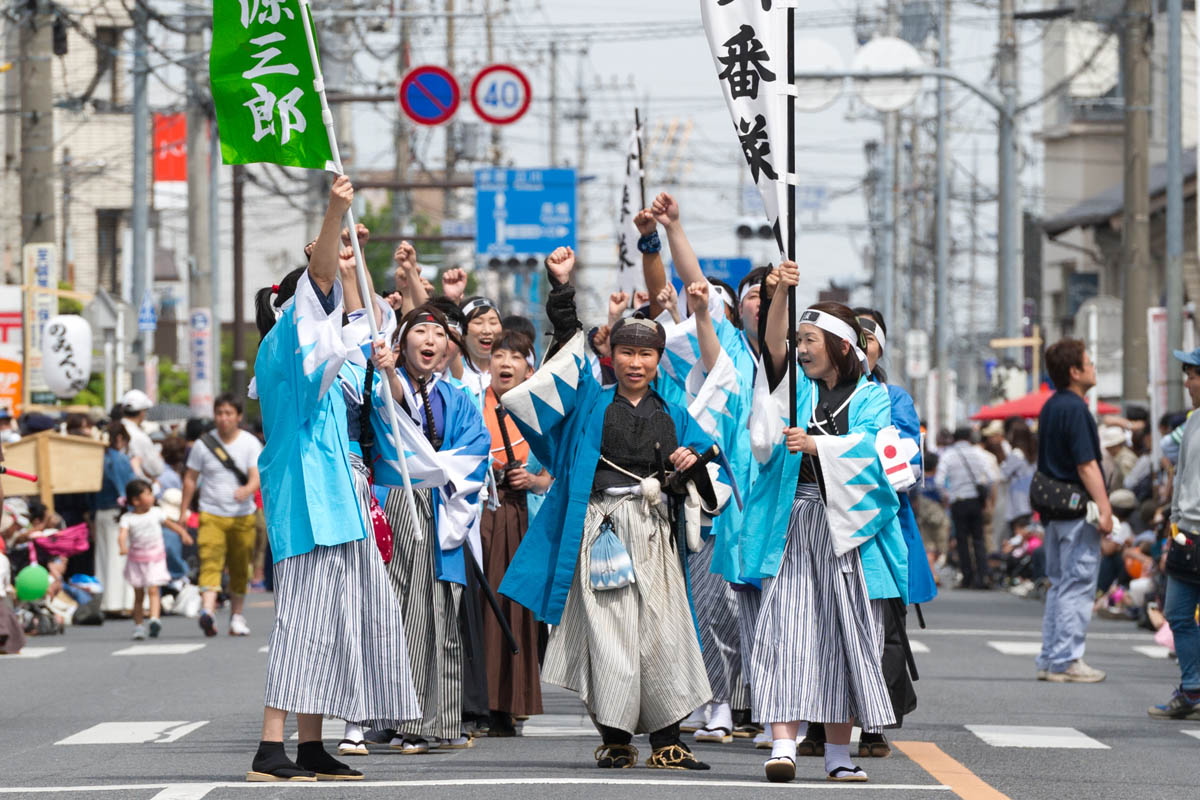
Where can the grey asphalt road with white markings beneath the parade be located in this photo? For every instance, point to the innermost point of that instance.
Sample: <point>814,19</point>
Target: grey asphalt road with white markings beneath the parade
<point>79,719</point>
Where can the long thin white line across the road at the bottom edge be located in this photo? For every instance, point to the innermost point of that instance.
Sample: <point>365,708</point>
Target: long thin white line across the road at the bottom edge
<point>200,791</point>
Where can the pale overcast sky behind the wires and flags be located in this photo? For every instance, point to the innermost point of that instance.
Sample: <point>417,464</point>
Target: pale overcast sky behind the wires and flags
<point>629,53</point>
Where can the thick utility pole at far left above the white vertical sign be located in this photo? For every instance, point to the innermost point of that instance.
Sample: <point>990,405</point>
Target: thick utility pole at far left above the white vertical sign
<point>37,125</point>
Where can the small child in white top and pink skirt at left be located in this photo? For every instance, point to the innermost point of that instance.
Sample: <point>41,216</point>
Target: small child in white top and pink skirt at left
<point>141,540</point>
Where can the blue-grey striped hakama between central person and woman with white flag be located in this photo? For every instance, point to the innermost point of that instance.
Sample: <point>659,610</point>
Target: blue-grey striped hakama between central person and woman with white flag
<point>717,613</point>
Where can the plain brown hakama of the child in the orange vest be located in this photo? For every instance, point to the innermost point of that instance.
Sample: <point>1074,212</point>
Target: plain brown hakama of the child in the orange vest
<point>513,682</point>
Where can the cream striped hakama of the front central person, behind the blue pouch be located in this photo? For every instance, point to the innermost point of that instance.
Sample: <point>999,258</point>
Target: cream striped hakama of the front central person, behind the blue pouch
<point>631,653</point>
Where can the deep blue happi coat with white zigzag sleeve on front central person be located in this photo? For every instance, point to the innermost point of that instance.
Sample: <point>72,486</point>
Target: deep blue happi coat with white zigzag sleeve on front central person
<point>561,413</point>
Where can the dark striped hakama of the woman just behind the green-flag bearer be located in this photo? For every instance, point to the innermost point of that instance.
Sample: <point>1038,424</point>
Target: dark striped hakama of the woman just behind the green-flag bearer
<point>430,609</point>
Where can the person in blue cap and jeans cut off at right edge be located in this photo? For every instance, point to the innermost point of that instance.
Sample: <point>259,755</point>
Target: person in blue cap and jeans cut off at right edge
<point>1184,587</point>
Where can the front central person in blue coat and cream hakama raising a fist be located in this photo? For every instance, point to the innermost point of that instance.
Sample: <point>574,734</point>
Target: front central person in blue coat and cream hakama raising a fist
<point>602,562</point>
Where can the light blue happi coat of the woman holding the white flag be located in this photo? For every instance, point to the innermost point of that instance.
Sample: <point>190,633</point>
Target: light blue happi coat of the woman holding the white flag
<point>861,503</point>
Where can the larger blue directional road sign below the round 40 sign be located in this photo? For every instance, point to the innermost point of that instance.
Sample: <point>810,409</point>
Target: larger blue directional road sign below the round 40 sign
<point>524,213</point>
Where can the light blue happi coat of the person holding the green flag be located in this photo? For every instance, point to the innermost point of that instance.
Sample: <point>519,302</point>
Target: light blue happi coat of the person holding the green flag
<point>309,496</point>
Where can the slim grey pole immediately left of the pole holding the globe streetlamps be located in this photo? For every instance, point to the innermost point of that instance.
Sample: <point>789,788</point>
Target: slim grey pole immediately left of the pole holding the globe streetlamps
<point>943,236</point>
